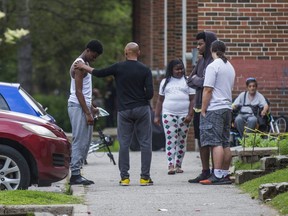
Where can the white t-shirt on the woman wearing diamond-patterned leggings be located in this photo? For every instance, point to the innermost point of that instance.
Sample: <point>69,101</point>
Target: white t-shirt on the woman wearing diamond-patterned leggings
<point>176,95</point>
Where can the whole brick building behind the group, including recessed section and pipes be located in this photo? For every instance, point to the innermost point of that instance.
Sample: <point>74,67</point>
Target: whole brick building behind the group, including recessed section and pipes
<point>255,32</point>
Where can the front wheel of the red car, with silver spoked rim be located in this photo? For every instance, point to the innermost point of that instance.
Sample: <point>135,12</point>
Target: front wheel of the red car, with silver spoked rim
<point>14,170</point>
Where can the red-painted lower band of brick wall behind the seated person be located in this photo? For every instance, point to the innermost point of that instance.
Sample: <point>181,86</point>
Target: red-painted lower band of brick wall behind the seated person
<point>272,78</point>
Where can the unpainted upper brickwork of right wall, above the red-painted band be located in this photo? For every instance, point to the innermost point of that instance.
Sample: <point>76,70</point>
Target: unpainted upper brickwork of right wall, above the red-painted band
<point>253,29</point>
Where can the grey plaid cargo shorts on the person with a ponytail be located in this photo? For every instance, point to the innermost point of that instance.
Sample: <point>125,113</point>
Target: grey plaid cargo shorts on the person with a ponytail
<point>215,128</point>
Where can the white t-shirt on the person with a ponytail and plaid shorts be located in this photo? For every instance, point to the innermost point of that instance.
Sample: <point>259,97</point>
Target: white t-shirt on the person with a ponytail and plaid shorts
<point>220,76</point>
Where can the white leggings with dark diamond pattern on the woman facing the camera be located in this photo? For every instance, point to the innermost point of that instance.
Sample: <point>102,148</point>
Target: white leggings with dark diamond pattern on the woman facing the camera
<point>176,135</point>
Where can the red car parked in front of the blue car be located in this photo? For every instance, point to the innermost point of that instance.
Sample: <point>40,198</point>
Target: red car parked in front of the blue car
<point>32,151</point>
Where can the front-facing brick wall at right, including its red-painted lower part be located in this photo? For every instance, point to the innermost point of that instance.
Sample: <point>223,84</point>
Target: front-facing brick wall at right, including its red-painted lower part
<point>255,32</point>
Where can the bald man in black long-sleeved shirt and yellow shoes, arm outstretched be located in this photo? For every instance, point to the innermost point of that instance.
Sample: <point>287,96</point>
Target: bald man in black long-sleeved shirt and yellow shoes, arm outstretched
<point>134,89</point>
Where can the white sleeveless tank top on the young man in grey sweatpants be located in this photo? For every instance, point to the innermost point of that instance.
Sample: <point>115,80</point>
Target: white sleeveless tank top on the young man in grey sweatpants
<point>87,86</point>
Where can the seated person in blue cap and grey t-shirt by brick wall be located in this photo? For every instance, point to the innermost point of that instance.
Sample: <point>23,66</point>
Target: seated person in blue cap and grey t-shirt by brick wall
<point>248,103</point>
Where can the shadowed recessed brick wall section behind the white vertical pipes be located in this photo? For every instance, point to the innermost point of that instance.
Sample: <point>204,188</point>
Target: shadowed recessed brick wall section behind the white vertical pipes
<point>148,31</point>
